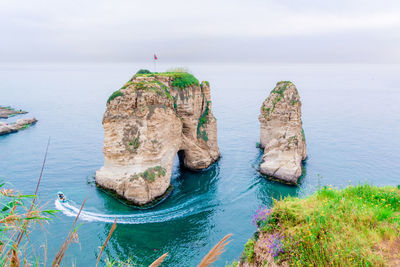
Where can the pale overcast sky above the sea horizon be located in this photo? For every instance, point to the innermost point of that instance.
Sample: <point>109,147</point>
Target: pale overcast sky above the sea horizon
<point>360,31</point>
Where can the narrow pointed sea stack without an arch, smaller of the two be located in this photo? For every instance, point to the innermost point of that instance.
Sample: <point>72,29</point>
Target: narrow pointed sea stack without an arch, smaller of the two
<point>282,135</point>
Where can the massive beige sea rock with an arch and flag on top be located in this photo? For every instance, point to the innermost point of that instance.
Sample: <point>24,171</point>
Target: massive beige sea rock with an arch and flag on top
<point>147,122</point>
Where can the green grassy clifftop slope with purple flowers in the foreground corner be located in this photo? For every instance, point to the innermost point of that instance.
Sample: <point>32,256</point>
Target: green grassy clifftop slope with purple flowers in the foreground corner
<point>356,226</point>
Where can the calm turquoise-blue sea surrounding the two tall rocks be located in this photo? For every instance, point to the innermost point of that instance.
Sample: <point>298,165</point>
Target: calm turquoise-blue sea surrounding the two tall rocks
<point>351,116</point>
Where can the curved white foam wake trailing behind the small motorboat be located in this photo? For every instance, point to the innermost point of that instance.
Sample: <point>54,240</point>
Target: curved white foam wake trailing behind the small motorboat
<point>188,208</point>
